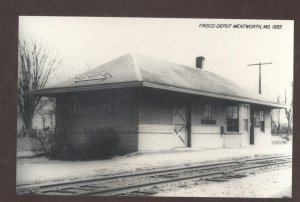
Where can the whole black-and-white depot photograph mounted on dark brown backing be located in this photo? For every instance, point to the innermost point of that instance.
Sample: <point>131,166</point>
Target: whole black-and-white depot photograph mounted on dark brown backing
<point>155,107</point>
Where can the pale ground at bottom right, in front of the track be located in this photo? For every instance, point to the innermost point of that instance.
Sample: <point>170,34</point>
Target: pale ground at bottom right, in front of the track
<point>267,184</point>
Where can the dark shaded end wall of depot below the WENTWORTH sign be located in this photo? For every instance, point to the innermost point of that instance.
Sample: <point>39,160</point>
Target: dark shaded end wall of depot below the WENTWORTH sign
<point>92,113</point>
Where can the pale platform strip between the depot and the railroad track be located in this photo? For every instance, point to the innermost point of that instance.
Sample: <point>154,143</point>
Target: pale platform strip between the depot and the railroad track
<point>40,170</point>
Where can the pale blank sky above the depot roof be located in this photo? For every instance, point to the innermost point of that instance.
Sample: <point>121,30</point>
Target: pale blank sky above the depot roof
<point>87,42</point>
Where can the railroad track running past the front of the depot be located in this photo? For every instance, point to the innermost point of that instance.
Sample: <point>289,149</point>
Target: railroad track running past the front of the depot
<point>146,183</point>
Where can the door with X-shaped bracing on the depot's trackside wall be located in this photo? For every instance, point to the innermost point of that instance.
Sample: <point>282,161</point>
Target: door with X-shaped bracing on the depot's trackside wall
<point>180,123</point>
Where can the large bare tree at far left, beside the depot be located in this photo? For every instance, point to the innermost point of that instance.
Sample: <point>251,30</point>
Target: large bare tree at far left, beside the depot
<point>35,66</point>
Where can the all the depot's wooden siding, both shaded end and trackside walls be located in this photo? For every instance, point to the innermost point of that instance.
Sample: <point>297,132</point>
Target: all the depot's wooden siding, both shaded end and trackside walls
<point>145,120</point>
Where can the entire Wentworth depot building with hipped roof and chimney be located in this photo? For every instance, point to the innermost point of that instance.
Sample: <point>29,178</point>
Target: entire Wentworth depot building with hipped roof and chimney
<point>154,104</point>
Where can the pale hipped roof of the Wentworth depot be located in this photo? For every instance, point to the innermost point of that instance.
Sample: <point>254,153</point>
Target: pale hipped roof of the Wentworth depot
<point>138,70</point>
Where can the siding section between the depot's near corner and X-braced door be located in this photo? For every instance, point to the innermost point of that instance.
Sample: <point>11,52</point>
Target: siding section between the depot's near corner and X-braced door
<point>156,130</point>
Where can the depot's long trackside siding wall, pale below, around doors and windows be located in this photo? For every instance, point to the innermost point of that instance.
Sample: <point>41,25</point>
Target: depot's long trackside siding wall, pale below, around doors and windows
<point>156,129</point>
